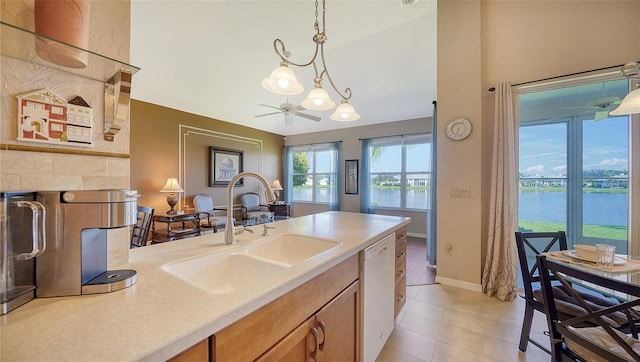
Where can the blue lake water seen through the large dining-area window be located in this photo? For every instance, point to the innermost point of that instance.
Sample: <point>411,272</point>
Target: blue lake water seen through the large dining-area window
<point>599,208</point>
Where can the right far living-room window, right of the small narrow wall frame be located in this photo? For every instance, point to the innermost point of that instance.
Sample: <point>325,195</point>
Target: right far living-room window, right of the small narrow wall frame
<point>399,174</point>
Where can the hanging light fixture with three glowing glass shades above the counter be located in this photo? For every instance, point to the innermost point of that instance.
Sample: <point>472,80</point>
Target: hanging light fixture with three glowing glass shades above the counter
<point>283,81</point>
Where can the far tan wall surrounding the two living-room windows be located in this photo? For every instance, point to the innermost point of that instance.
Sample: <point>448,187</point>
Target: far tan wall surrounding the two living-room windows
<point>352,149</point>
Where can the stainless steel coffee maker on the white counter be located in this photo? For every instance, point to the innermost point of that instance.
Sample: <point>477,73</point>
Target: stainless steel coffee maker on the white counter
<point>77,225</point>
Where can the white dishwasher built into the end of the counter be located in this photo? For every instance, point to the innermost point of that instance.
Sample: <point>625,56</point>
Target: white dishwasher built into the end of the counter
<point>378,275</point>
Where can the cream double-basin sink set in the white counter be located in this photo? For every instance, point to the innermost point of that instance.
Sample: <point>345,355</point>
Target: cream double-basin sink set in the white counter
<point>237,268</point>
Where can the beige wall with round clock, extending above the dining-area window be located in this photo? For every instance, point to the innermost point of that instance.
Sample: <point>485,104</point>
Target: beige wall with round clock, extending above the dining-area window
<point>484,42</point>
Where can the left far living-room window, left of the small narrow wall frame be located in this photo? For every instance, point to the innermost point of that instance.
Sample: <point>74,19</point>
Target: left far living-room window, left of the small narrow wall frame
<point>314,171</point>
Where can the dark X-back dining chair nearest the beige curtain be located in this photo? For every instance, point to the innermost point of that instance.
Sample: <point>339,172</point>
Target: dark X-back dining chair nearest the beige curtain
<point>529,245</point>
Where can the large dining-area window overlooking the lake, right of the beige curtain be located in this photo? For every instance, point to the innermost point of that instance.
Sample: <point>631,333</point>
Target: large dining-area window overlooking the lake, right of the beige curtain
<point>574,163</point>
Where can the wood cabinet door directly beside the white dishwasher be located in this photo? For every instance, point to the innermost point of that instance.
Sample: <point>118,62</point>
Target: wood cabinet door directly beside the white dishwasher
<point>341,324</point>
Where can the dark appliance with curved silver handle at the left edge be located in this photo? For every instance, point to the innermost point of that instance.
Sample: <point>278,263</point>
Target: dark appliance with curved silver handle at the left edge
<point>22,239</point>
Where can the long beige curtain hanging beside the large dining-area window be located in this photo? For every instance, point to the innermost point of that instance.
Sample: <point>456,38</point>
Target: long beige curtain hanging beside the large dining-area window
<point>500,268</point>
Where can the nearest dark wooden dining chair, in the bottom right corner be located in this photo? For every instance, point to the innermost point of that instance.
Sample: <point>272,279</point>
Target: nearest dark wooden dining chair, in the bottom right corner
<point>599,341</point>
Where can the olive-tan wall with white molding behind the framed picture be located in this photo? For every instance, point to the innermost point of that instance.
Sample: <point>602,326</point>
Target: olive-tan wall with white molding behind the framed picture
<point>167,142</point>
